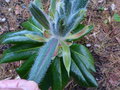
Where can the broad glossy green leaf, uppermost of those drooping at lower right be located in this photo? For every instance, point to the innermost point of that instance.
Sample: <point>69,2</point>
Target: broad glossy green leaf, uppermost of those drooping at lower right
<point>81,49</point>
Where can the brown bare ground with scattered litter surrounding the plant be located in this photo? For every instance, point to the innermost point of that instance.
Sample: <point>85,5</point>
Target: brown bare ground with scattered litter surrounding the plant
<point>104,41</point>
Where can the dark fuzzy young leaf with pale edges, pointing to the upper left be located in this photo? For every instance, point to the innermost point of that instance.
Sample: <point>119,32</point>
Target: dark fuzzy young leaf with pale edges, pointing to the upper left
<point>39,16</point>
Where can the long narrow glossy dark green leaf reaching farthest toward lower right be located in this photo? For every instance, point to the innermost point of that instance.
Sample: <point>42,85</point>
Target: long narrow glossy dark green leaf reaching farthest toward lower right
<point>85,72</point>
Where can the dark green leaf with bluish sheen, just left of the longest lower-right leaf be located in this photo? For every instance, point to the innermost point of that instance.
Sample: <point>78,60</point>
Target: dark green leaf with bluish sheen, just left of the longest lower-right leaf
<point>77,75</point>
